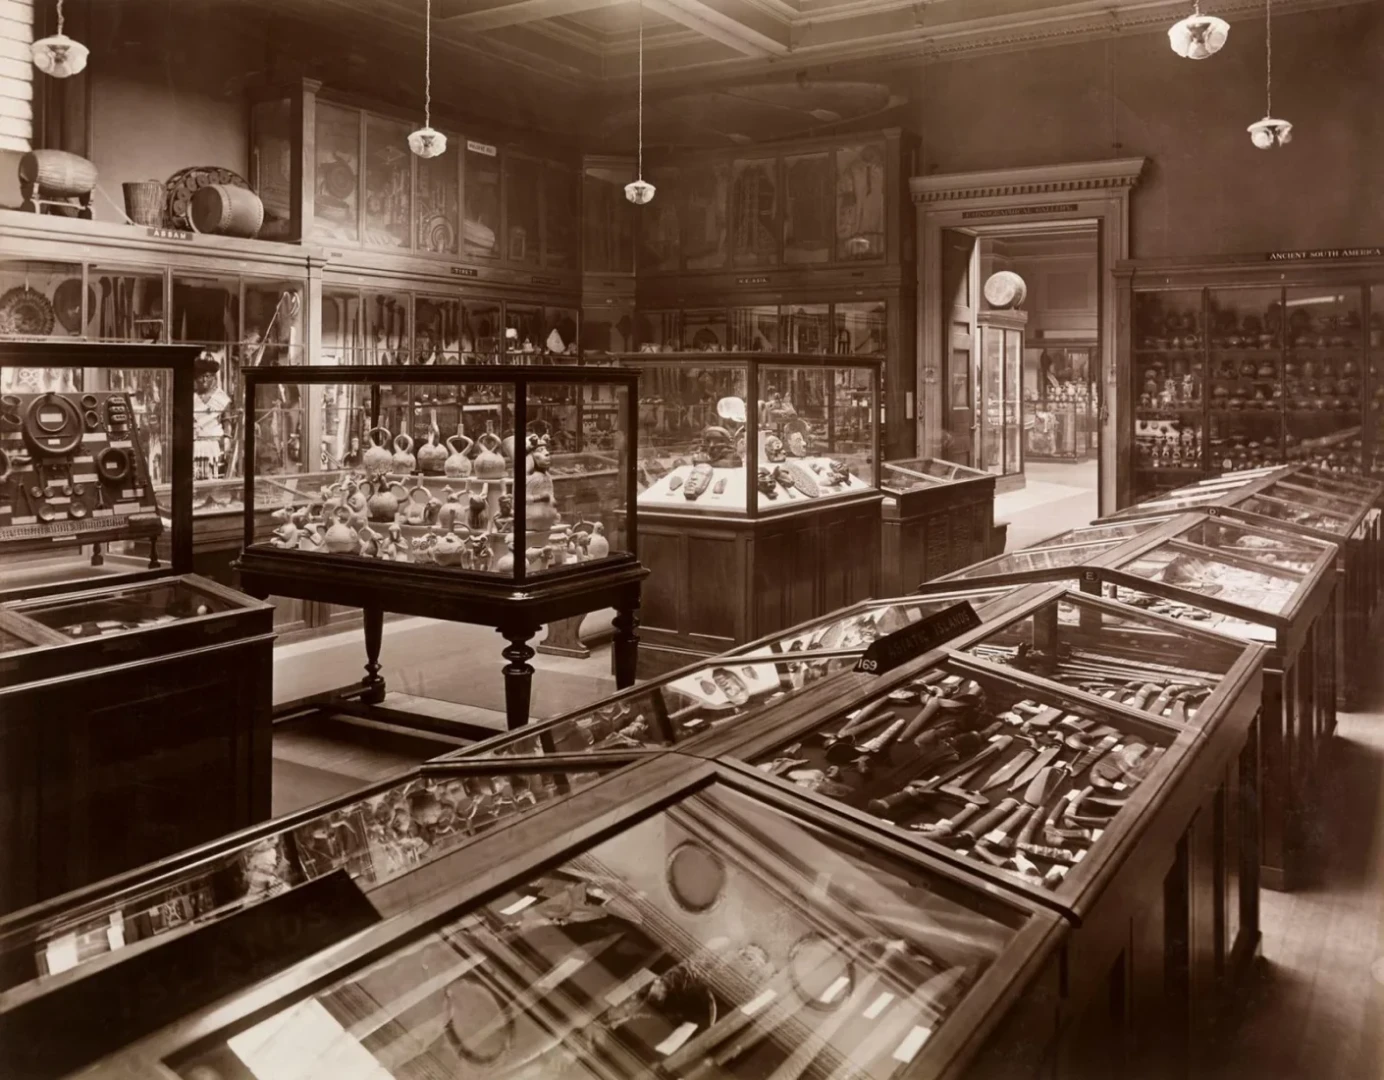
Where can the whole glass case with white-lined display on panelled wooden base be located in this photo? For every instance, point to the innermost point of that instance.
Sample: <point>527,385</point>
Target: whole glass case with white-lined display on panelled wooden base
<point>758,492</point>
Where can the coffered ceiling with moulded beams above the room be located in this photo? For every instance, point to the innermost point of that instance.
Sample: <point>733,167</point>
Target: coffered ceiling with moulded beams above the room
<point>718,73</point>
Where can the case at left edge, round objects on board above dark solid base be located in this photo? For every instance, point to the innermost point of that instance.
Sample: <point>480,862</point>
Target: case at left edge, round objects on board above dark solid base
<point>129,682</point>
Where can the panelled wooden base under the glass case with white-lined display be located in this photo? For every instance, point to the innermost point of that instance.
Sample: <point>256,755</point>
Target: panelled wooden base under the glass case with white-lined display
<point>722,582</point>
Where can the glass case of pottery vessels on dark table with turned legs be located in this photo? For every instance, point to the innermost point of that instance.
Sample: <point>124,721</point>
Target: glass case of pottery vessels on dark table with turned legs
<point>437,510</point>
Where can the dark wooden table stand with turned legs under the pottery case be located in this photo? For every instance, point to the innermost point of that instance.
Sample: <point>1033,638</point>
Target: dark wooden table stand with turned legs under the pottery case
<point>516,610</point>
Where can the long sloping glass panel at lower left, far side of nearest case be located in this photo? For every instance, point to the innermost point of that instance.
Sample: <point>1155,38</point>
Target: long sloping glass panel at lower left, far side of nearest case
<point>377,836</point>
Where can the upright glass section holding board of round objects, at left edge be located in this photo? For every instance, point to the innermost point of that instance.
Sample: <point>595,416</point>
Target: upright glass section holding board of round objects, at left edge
<point>86,431</point>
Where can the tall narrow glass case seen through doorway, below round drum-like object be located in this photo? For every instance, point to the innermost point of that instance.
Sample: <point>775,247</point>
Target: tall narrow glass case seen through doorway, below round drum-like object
<point>1000,405</point>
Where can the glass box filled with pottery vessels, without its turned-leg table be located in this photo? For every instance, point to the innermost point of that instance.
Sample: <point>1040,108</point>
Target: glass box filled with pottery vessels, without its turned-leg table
<point>473,471</point>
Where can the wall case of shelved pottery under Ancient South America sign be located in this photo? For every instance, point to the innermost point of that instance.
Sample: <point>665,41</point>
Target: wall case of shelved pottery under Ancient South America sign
<point>1235,365</point>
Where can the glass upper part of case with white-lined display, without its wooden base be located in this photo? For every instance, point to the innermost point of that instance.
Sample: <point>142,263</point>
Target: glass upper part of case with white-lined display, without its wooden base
<point>755,435</point>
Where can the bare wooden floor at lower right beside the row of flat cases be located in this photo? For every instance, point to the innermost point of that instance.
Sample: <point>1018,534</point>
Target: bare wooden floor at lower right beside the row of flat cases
<point>1317,1010</point>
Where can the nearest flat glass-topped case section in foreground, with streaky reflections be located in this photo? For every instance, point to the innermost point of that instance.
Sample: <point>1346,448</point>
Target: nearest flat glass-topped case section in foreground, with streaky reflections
<point>726,931</point>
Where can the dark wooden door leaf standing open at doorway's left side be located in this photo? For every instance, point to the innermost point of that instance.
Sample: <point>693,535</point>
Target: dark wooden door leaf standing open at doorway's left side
<point>958,319</point>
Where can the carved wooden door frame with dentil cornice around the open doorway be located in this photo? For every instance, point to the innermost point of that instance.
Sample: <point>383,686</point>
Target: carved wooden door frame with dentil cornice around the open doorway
<point>1040,195</point>
